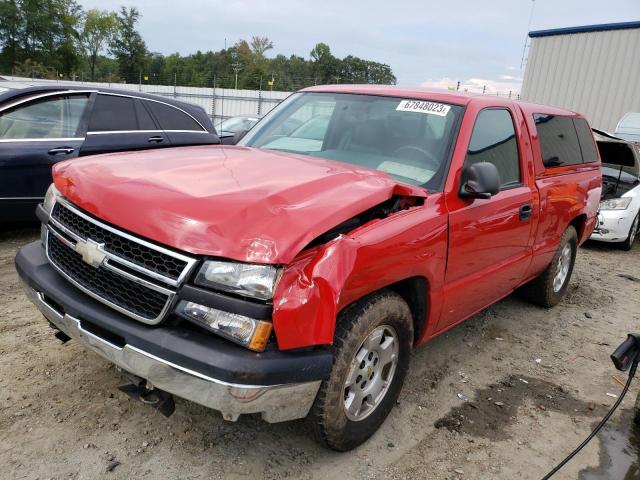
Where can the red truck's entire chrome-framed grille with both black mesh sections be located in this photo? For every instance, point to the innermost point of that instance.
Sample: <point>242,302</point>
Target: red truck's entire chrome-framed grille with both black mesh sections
<point>131,275</point>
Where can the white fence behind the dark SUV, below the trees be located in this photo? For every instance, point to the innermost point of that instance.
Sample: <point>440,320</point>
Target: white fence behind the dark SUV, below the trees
<point>219,103</point>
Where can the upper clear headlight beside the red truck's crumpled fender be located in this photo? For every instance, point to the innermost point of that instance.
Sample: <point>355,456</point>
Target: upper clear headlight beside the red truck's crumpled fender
<point>248,280</point>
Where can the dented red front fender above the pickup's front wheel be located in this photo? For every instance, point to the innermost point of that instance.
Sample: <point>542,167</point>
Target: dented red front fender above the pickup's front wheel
<point>322,280</point>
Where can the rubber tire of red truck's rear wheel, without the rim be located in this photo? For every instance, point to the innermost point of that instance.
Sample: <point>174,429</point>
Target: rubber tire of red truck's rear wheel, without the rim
<point>540,290</point>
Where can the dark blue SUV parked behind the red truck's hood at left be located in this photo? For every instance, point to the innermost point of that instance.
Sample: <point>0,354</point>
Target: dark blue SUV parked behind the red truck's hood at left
<point>43,125</point>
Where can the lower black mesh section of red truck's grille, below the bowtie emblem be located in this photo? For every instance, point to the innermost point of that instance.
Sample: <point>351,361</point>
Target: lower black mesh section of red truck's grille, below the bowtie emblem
<point>106,285</point>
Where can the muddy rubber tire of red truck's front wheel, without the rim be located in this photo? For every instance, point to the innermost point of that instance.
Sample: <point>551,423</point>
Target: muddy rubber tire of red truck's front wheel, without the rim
<point>328,419</point>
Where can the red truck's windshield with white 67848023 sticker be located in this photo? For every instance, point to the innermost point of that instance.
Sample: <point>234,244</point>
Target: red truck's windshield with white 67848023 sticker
<point>408,139</point>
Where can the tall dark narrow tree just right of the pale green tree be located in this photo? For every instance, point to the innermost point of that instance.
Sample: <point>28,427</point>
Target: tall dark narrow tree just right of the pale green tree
<point>127,46</point>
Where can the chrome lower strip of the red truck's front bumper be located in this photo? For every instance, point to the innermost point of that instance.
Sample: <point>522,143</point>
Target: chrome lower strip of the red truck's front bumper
<point>276,403</point>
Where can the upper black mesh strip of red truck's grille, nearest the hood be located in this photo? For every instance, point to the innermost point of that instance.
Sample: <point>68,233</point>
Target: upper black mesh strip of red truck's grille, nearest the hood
<point>141,255</point>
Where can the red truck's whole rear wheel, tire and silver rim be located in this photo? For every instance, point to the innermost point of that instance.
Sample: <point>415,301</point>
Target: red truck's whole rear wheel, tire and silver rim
<point>551,285</point>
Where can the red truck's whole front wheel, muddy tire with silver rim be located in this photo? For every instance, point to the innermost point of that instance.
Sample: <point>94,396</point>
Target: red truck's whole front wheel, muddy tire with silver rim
<point>372,348</point>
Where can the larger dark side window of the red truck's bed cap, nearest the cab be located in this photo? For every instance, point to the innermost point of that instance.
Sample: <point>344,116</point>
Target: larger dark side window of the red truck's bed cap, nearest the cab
<point>558,140</point>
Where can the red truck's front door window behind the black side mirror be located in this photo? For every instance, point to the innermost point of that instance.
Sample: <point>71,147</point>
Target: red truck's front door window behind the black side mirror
<point>494,140</point>
